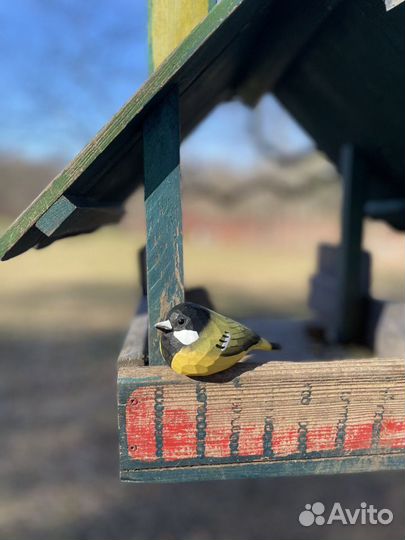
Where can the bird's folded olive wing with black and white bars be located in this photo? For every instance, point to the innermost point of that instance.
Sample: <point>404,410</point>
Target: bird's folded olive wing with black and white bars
<point>235,337</point>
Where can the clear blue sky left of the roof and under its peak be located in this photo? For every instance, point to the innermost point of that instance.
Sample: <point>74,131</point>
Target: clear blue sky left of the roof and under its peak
<point>68,66</point>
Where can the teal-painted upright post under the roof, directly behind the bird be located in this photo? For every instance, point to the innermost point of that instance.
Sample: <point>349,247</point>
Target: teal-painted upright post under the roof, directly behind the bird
<point>164,243</point>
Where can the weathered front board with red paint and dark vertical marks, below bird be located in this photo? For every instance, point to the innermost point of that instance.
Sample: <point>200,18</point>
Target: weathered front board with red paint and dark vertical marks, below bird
<point>330,416</point>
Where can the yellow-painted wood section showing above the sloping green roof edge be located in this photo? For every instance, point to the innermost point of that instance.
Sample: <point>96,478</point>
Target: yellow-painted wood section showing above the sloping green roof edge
<point>170,23</point>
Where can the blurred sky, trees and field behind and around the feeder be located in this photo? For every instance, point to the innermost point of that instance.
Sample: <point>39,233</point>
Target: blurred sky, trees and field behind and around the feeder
<point>258,199</point>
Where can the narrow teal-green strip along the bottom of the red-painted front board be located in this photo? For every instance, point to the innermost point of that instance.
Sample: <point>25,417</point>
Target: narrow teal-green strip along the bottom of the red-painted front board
<point>296,467</point>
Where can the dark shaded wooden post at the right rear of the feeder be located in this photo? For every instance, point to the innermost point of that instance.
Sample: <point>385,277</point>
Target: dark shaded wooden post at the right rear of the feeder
<point>350,313</point>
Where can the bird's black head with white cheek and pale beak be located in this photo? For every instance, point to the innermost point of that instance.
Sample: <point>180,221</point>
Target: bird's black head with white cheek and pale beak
<point>182,327</point>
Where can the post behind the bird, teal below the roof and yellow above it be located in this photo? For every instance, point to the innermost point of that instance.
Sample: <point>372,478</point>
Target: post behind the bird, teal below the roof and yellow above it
<point>169,23</point>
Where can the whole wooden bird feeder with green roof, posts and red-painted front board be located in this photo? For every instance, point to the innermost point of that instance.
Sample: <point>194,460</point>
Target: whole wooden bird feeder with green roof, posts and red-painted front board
<point>337,67</point>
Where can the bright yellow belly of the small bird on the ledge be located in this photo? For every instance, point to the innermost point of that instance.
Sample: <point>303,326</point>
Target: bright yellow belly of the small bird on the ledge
<point>191,364</point>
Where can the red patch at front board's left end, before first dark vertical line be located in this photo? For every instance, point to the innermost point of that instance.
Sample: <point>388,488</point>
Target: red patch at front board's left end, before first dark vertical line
<point>140,424</point>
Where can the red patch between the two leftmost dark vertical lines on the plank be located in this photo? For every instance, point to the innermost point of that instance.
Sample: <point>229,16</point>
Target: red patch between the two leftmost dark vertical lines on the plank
<point>179,434</point>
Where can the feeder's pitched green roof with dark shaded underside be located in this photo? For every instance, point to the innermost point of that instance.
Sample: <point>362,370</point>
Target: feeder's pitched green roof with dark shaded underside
<point>336,65</point>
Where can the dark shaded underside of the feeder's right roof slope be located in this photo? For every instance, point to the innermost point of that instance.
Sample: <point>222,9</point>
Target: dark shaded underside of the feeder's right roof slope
<point>338,86</point>
